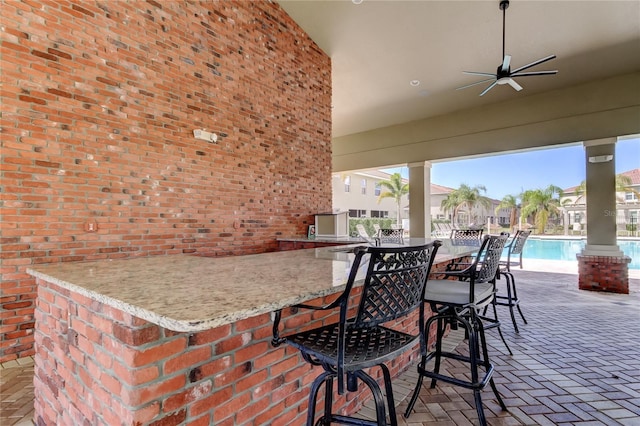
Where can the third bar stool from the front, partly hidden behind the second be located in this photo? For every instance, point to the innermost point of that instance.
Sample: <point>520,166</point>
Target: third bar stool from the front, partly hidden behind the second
<point>514,249</point>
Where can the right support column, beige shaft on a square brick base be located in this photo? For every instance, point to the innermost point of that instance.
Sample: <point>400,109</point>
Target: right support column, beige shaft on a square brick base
<point>602,266</point>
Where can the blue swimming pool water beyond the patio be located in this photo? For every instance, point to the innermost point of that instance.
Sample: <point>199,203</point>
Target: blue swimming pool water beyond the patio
<point>566,249</point>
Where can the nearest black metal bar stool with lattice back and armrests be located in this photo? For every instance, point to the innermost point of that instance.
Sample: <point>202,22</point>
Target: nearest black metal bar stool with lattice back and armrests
<point>393,289</point>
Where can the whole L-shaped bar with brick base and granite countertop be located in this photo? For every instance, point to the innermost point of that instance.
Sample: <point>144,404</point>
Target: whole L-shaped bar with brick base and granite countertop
<point>182,339</point>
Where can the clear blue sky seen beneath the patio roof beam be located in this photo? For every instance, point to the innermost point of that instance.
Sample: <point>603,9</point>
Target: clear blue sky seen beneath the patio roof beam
<point>511,174</point>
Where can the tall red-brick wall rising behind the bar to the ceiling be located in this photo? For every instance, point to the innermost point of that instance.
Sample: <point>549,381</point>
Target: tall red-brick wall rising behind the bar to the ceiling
<point>99,103</point>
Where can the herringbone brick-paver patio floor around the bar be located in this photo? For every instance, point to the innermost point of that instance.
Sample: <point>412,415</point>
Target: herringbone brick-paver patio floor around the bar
<point>575,363</point>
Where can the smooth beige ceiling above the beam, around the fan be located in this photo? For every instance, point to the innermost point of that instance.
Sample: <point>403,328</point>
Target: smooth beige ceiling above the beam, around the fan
<point>378,47</point>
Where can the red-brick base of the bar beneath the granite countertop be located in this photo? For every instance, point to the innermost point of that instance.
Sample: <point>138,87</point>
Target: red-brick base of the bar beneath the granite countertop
<point>97,365</point>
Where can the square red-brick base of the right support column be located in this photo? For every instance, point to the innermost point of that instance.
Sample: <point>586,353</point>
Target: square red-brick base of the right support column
<point>604,273</point>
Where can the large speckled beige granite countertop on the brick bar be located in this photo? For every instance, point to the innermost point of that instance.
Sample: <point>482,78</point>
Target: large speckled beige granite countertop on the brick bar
<point>188,293</point>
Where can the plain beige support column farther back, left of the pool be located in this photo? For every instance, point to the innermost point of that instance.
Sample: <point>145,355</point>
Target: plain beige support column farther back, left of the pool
<point>420,199</point>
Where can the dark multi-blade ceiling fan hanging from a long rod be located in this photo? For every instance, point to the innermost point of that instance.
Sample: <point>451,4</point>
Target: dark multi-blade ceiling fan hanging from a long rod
<point>503,74</point>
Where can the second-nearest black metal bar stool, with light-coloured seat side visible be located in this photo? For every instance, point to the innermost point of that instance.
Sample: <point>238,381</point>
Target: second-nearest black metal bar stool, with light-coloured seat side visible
<point>459,303</point>
